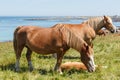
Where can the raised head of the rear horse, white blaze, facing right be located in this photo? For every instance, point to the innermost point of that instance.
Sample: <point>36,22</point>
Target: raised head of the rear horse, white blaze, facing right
<point>108,24</point>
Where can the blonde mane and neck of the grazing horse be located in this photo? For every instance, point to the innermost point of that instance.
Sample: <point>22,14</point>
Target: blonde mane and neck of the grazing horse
<point>72,40</point>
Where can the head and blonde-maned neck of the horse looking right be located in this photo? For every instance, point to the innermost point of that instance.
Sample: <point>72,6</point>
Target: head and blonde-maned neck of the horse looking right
<point>97,23</point>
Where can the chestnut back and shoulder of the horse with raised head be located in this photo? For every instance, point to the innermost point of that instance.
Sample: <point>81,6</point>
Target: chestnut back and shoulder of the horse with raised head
<point>81,30</point>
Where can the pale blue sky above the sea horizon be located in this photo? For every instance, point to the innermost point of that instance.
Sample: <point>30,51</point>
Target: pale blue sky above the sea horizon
<point>59,7</point>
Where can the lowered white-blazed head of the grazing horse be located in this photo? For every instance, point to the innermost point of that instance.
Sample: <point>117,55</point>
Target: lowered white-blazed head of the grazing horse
<point>87,57</point>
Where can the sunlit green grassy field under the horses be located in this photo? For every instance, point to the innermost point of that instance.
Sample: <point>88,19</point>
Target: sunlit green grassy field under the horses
<point>106,51</point>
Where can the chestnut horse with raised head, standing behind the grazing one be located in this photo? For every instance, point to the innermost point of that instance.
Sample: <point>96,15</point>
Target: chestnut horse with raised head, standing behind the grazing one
<point>84,29</point>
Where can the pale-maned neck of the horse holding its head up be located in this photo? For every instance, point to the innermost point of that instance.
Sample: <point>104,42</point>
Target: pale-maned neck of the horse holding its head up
<point>96,24</point>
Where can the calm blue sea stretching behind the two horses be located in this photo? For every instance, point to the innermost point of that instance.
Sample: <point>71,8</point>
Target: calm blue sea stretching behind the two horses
<point>9,23</point>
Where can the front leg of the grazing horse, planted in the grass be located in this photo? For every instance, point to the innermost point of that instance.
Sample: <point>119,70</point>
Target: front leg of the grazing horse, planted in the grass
<point>58,63</point>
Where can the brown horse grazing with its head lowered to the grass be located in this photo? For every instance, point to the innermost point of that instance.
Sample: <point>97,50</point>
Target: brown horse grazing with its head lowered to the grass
<point>52,40</point>
